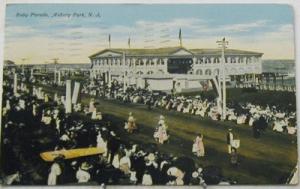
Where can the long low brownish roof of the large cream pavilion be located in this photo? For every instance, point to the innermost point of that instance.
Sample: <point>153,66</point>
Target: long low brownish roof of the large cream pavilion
<point>167,51</point>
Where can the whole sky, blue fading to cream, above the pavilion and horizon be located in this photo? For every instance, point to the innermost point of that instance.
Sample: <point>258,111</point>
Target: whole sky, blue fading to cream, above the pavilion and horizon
<point>38,33</point>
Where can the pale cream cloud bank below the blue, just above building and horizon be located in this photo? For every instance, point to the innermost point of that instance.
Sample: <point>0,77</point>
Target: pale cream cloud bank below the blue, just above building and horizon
<point>74,42</point>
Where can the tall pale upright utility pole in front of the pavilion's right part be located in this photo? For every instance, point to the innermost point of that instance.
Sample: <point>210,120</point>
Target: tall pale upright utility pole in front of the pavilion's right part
<point>223,45</point>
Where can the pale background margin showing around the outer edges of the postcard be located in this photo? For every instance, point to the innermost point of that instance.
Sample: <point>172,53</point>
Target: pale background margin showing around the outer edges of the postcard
<point>294,3</point>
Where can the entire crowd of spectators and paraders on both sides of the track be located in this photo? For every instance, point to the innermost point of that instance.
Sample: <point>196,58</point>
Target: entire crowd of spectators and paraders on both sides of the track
<point>34,121</point>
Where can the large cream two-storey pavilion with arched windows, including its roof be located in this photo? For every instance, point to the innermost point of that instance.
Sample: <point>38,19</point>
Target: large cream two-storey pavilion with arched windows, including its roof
<point>174,66</point>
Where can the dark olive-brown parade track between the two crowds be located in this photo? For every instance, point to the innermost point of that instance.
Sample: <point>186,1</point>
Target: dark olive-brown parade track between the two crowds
<point>268,160</point>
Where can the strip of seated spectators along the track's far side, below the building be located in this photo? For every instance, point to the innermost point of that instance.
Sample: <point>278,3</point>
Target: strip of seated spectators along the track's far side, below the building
<point>242,113</point>
